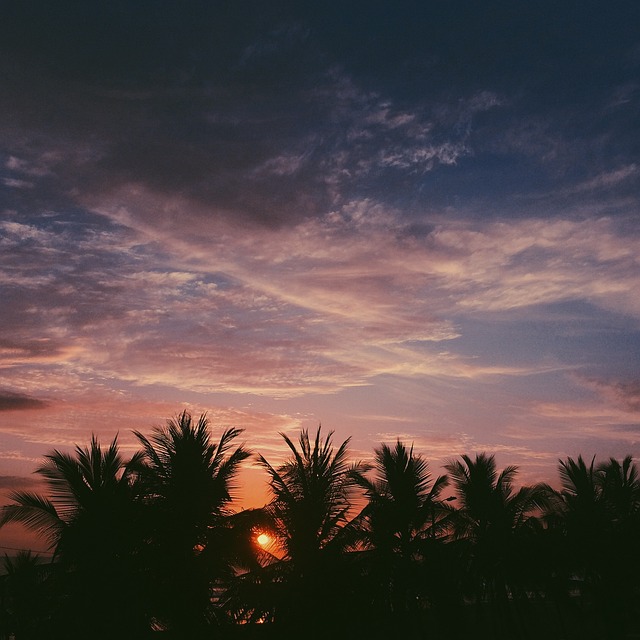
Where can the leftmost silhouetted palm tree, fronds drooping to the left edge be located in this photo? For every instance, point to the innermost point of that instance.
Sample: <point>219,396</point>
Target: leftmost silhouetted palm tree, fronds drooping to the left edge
<point>89,521</point>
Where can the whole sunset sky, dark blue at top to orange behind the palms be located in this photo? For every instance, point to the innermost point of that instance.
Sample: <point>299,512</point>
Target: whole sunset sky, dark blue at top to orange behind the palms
<point>414,220</point>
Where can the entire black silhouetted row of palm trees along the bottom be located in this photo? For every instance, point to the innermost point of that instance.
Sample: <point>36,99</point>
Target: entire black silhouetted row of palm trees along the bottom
<point>151,547</point>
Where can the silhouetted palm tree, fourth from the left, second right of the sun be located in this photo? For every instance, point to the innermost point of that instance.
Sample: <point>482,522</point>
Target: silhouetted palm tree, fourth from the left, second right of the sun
<point>403,518</point>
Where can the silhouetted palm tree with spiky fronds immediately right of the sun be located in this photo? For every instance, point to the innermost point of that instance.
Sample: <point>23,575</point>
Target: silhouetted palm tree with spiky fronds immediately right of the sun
<point>312,494</point>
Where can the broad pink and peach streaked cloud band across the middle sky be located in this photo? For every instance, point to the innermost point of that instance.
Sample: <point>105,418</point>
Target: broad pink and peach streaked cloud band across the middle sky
<point>329,303</point>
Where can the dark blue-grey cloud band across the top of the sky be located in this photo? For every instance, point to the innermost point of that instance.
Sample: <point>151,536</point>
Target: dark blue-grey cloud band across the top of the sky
<point>273,112</point>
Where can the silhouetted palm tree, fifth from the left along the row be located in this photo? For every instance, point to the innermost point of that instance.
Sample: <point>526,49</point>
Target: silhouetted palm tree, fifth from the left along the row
<point>493,518</point>
